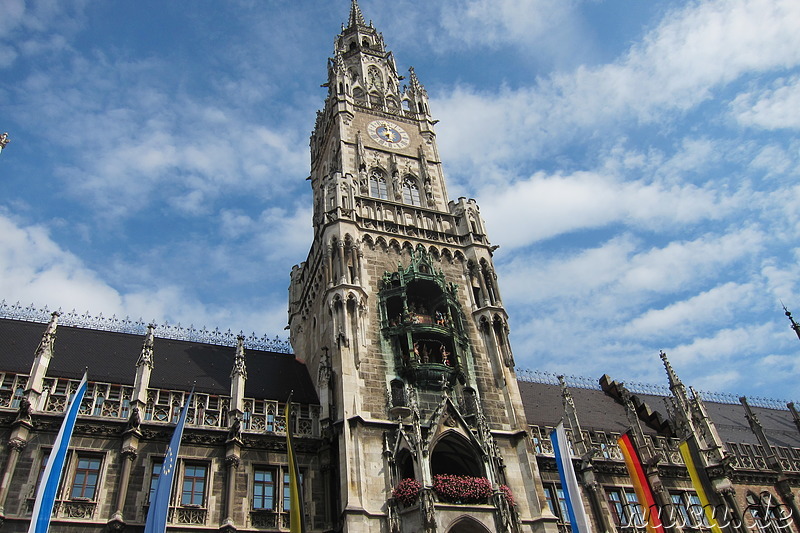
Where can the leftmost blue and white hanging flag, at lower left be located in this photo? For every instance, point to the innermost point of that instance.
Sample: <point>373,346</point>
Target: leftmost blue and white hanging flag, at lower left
<point>51,477</point>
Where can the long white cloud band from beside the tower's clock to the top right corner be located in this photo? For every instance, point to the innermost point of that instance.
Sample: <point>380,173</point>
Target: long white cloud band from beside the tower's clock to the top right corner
<point>676,67</point>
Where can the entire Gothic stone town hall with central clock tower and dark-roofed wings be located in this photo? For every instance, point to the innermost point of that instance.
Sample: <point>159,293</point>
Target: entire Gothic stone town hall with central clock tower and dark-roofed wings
<point>411,416</point>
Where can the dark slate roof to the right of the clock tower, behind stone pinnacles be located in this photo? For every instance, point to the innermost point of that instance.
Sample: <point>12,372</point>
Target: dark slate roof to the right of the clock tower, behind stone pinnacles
<point>599,411</point>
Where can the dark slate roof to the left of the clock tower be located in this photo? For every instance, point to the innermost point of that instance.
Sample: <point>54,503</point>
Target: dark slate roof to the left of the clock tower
<point>111,357</point>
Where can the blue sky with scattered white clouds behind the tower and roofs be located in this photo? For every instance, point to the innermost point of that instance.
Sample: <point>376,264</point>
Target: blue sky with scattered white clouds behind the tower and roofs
<point>636,161</point>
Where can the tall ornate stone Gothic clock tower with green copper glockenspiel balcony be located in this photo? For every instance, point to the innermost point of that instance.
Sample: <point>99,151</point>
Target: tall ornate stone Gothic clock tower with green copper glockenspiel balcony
<point>398,315</point>
